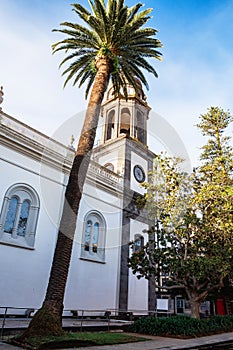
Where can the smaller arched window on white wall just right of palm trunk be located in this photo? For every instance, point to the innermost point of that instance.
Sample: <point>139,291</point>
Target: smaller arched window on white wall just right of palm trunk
<point>93,242</point>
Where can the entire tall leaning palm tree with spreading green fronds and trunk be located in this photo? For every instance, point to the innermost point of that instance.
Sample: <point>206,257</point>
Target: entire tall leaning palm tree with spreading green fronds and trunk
<point>112,45</point>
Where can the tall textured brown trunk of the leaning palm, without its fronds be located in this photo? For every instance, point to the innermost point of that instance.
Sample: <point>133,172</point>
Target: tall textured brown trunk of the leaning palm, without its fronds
<point>48,319</point>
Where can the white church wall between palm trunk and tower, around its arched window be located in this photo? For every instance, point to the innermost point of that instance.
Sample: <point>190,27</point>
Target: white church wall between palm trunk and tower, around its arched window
<point>91,284</point>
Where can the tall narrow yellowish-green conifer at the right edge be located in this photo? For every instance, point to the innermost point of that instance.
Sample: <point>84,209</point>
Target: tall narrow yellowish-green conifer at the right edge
<point>214,190</point>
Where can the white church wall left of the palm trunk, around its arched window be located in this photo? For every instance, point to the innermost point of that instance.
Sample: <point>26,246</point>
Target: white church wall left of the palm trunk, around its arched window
<point>25,271</point>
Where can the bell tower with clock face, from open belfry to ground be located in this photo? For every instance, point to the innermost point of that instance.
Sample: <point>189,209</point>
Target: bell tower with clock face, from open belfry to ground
<point>123,150</point>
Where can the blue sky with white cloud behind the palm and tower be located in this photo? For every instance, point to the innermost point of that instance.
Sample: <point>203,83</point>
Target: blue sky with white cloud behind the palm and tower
<point>196,71</point>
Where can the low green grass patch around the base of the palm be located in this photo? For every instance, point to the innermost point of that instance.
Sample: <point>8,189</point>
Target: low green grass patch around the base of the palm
<point>69,340</point>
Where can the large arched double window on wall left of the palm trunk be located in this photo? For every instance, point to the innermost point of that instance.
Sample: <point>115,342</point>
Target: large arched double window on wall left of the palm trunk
<point>19,215</point>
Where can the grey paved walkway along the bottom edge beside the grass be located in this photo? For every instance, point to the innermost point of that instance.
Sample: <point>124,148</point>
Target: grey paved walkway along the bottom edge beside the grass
<point>153,343</point>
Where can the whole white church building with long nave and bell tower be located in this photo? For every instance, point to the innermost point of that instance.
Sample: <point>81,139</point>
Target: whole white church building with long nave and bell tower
<point>34,173</point>
